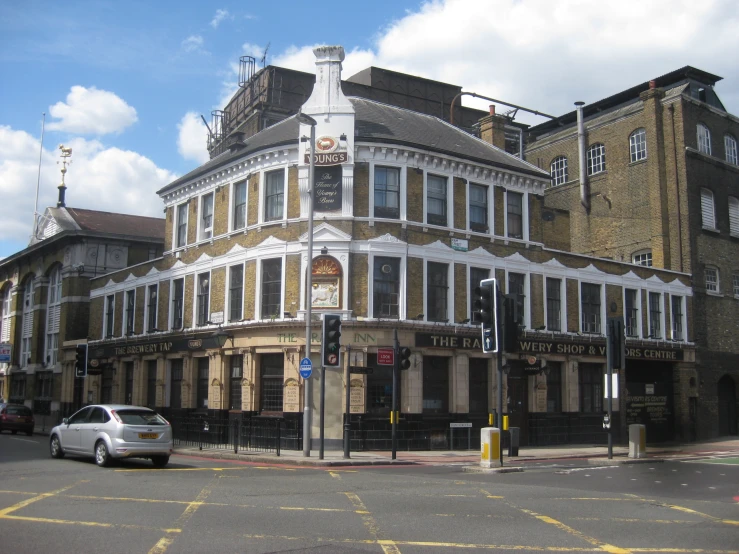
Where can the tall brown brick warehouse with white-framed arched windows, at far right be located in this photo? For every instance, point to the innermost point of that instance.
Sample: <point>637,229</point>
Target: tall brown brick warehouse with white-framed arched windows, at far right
<point>656,183</point>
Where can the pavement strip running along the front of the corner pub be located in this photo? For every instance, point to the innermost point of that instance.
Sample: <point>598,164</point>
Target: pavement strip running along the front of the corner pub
<point>590,454</point>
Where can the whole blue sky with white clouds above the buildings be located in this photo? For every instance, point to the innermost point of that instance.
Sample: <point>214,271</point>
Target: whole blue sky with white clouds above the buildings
<point>124,84</point>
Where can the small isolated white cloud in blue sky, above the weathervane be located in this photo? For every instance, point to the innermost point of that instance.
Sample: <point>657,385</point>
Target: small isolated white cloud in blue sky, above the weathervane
<point>91,111</point>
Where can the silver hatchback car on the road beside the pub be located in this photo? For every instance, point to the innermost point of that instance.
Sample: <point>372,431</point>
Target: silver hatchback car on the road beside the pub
<point>113,431</point>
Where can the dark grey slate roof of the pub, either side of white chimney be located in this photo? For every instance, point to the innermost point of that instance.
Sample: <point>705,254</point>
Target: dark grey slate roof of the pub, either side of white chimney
<point>378,122</point>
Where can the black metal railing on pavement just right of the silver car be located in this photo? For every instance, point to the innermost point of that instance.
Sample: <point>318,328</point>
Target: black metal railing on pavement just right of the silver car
<point>247,433</point>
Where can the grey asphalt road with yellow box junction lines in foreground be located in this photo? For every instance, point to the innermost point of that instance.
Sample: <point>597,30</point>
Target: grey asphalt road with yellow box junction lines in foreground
<point>199,505</point>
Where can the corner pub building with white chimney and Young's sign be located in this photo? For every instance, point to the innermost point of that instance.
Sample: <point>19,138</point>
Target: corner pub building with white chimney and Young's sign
<point>411,216</point>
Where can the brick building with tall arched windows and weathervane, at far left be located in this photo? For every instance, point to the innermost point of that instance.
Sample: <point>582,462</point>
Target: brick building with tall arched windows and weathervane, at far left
<point>44,299</point>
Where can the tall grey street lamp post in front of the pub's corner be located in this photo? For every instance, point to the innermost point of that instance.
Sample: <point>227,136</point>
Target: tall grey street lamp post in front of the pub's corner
<point>307,120</point>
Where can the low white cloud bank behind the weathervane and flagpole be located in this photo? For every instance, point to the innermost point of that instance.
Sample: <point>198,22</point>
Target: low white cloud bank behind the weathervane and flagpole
<point>99,178</point>
